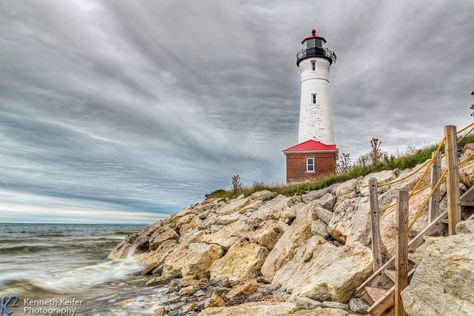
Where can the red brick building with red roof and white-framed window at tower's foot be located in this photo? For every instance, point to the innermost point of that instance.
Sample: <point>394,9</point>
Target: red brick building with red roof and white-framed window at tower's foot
<point>309,160</point>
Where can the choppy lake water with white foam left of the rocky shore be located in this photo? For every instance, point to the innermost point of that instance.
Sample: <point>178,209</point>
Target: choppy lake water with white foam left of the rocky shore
<point>61,262</point>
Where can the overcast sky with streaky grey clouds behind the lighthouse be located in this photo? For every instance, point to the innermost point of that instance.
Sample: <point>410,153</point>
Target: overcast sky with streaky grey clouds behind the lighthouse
<point>123,111</point>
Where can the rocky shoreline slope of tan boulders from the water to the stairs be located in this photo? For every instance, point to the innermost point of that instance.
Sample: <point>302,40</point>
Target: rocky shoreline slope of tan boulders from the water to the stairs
<point>269,254</point>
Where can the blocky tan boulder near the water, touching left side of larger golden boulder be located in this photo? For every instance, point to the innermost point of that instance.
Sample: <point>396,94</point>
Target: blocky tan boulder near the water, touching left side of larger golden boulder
<point>199,259</point>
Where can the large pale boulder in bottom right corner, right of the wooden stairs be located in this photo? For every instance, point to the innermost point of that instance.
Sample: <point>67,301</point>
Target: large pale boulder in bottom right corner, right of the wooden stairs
<point>443,278</point>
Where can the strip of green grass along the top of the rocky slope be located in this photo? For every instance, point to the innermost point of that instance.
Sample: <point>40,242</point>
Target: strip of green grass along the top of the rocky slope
<point>389,163</point>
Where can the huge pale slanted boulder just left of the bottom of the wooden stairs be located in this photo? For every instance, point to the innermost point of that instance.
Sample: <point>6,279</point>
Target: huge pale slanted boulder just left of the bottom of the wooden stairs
<point>322,271</point>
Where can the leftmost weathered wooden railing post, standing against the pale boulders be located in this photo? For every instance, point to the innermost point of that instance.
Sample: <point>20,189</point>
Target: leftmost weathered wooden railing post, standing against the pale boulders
<point>374,216</point>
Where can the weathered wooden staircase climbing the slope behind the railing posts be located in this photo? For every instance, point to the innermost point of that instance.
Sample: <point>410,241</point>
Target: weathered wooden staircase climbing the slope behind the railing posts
<point>379,289</point>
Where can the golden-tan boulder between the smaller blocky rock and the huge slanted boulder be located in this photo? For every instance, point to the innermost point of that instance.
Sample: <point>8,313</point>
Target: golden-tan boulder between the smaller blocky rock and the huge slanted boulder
<point>242,261</point>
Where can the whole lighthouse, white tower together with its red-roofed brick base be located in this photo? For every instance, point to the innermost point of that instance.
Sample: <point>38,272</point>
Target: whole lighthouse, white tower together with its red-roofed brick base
<point>316,152</point>
